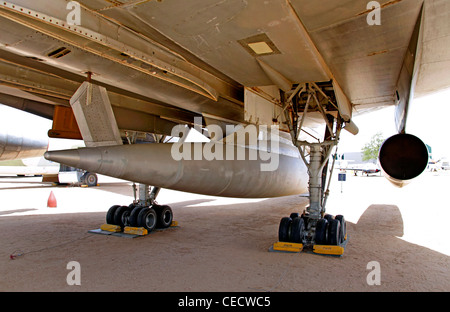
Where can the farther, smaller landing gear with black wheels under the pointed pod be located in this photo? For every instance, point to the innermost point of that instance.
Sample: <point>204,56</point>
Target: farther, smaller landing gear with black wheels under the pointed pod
<point>142,213</point>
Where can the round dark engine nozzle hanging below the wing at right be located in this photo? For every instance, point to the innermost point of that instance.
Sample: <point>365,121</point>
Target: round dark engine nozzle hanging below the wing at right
<point>403,157</point>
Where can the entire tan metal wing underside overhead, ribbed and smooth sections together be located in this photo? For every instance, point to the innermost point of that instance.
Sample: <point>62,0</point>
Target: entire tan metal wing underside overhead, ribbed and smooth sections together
<point>164,62</point>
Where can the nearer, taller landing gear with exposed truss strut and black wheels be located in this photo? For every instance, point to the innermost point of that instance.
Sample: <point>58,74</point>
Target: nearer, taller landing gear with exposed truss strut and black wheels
<point>313,226</point>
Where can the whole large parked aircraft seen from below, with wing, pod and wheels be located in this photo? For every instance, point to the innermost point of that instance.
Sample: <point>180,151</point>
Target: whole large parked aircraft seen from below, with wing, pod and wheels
<point>104,70</point>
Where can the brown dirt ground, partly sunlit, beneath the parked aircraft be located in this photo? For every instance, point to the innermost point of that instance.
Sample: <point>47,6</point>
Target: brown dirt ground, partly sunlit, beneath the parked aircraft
<point>223,244</point>
